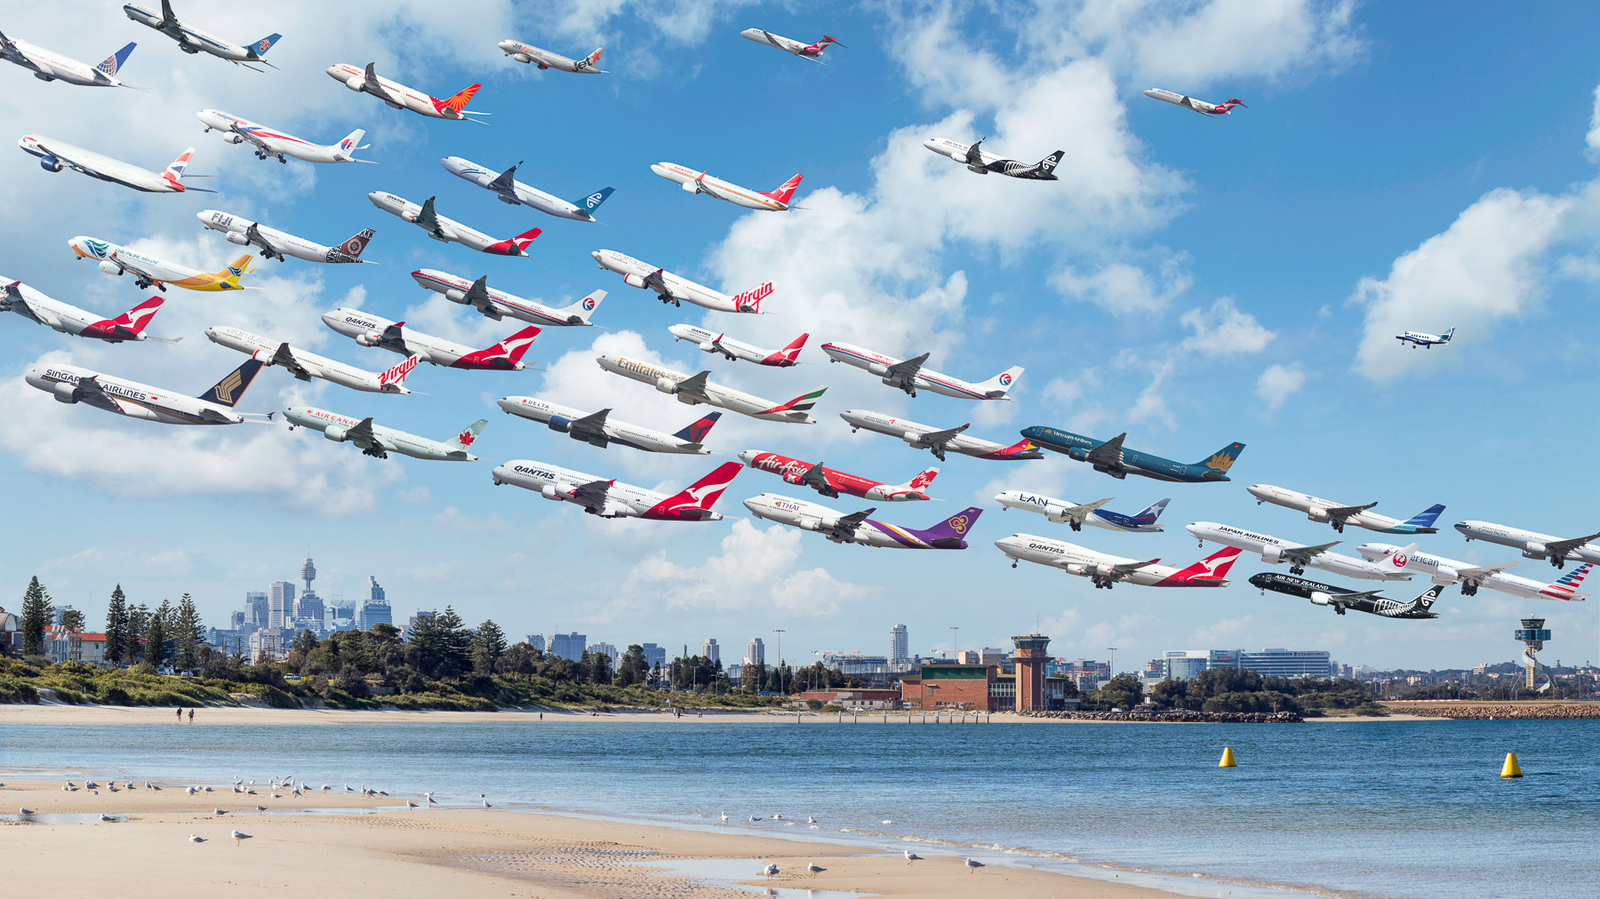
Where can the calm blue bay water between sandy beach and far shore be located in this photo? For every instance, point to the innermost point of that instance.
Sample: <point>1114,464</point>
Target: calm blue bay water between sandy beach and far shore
<point>1383,809</point>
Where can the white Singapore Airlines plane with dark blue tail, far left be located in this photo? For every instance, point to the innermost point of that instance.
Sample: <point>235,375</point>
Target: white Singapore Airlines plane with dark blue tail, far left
<point>73,385</point>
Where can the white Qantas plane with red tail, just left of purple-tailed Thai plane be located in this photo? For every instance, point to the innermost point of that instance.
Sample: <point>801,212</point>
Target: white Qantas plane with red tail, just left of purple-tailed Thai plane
<point>615,500</point>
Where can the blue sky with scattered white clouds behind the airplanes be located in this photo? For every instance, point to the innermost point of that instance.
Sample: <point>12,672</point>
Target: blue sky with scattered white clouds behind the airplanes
<point>1191,282</point>
